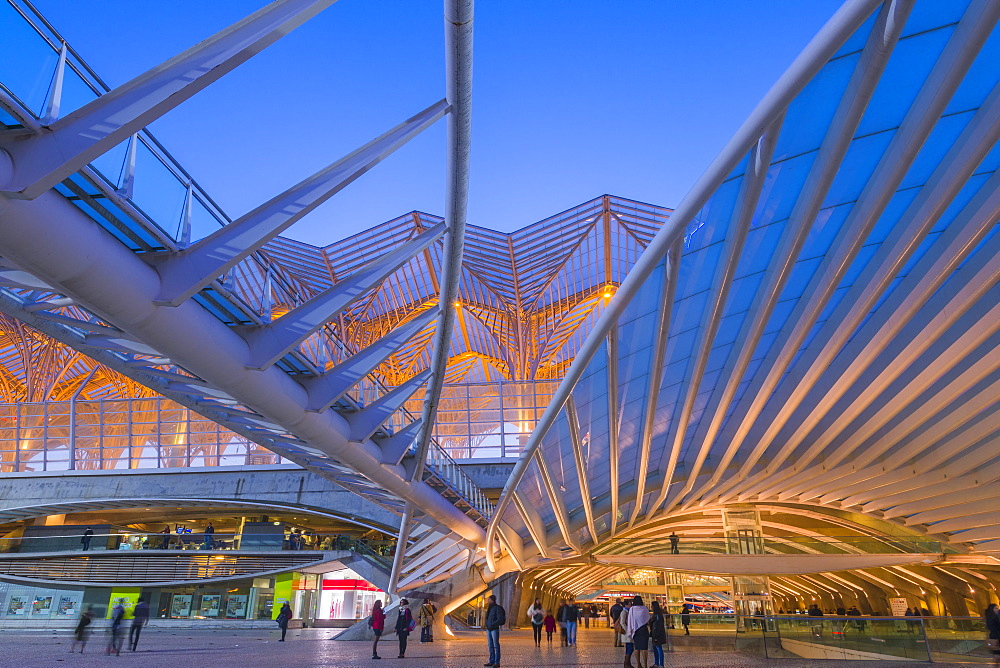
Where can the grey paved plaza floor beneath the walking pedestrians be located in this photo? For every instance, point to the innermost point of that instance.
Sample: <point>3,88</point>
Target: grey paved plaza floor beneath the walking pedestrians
<point>225,648</point>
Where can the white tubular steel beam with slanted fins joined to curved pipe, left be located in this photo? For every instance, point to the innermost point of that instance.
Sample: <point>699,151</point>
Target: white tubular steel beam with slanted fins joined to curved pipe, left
<point>148,299</point>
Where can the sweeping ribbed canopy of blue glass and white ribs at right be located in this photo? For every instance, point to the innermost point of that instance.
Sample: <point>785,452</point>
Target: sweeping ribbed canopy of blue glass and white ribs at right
<point>818,320</point>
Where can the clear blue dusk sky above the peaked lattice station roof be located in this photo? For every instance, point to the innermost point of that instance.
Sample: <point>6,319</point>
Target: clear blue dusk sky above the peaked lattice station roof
<point>571,99</point>
